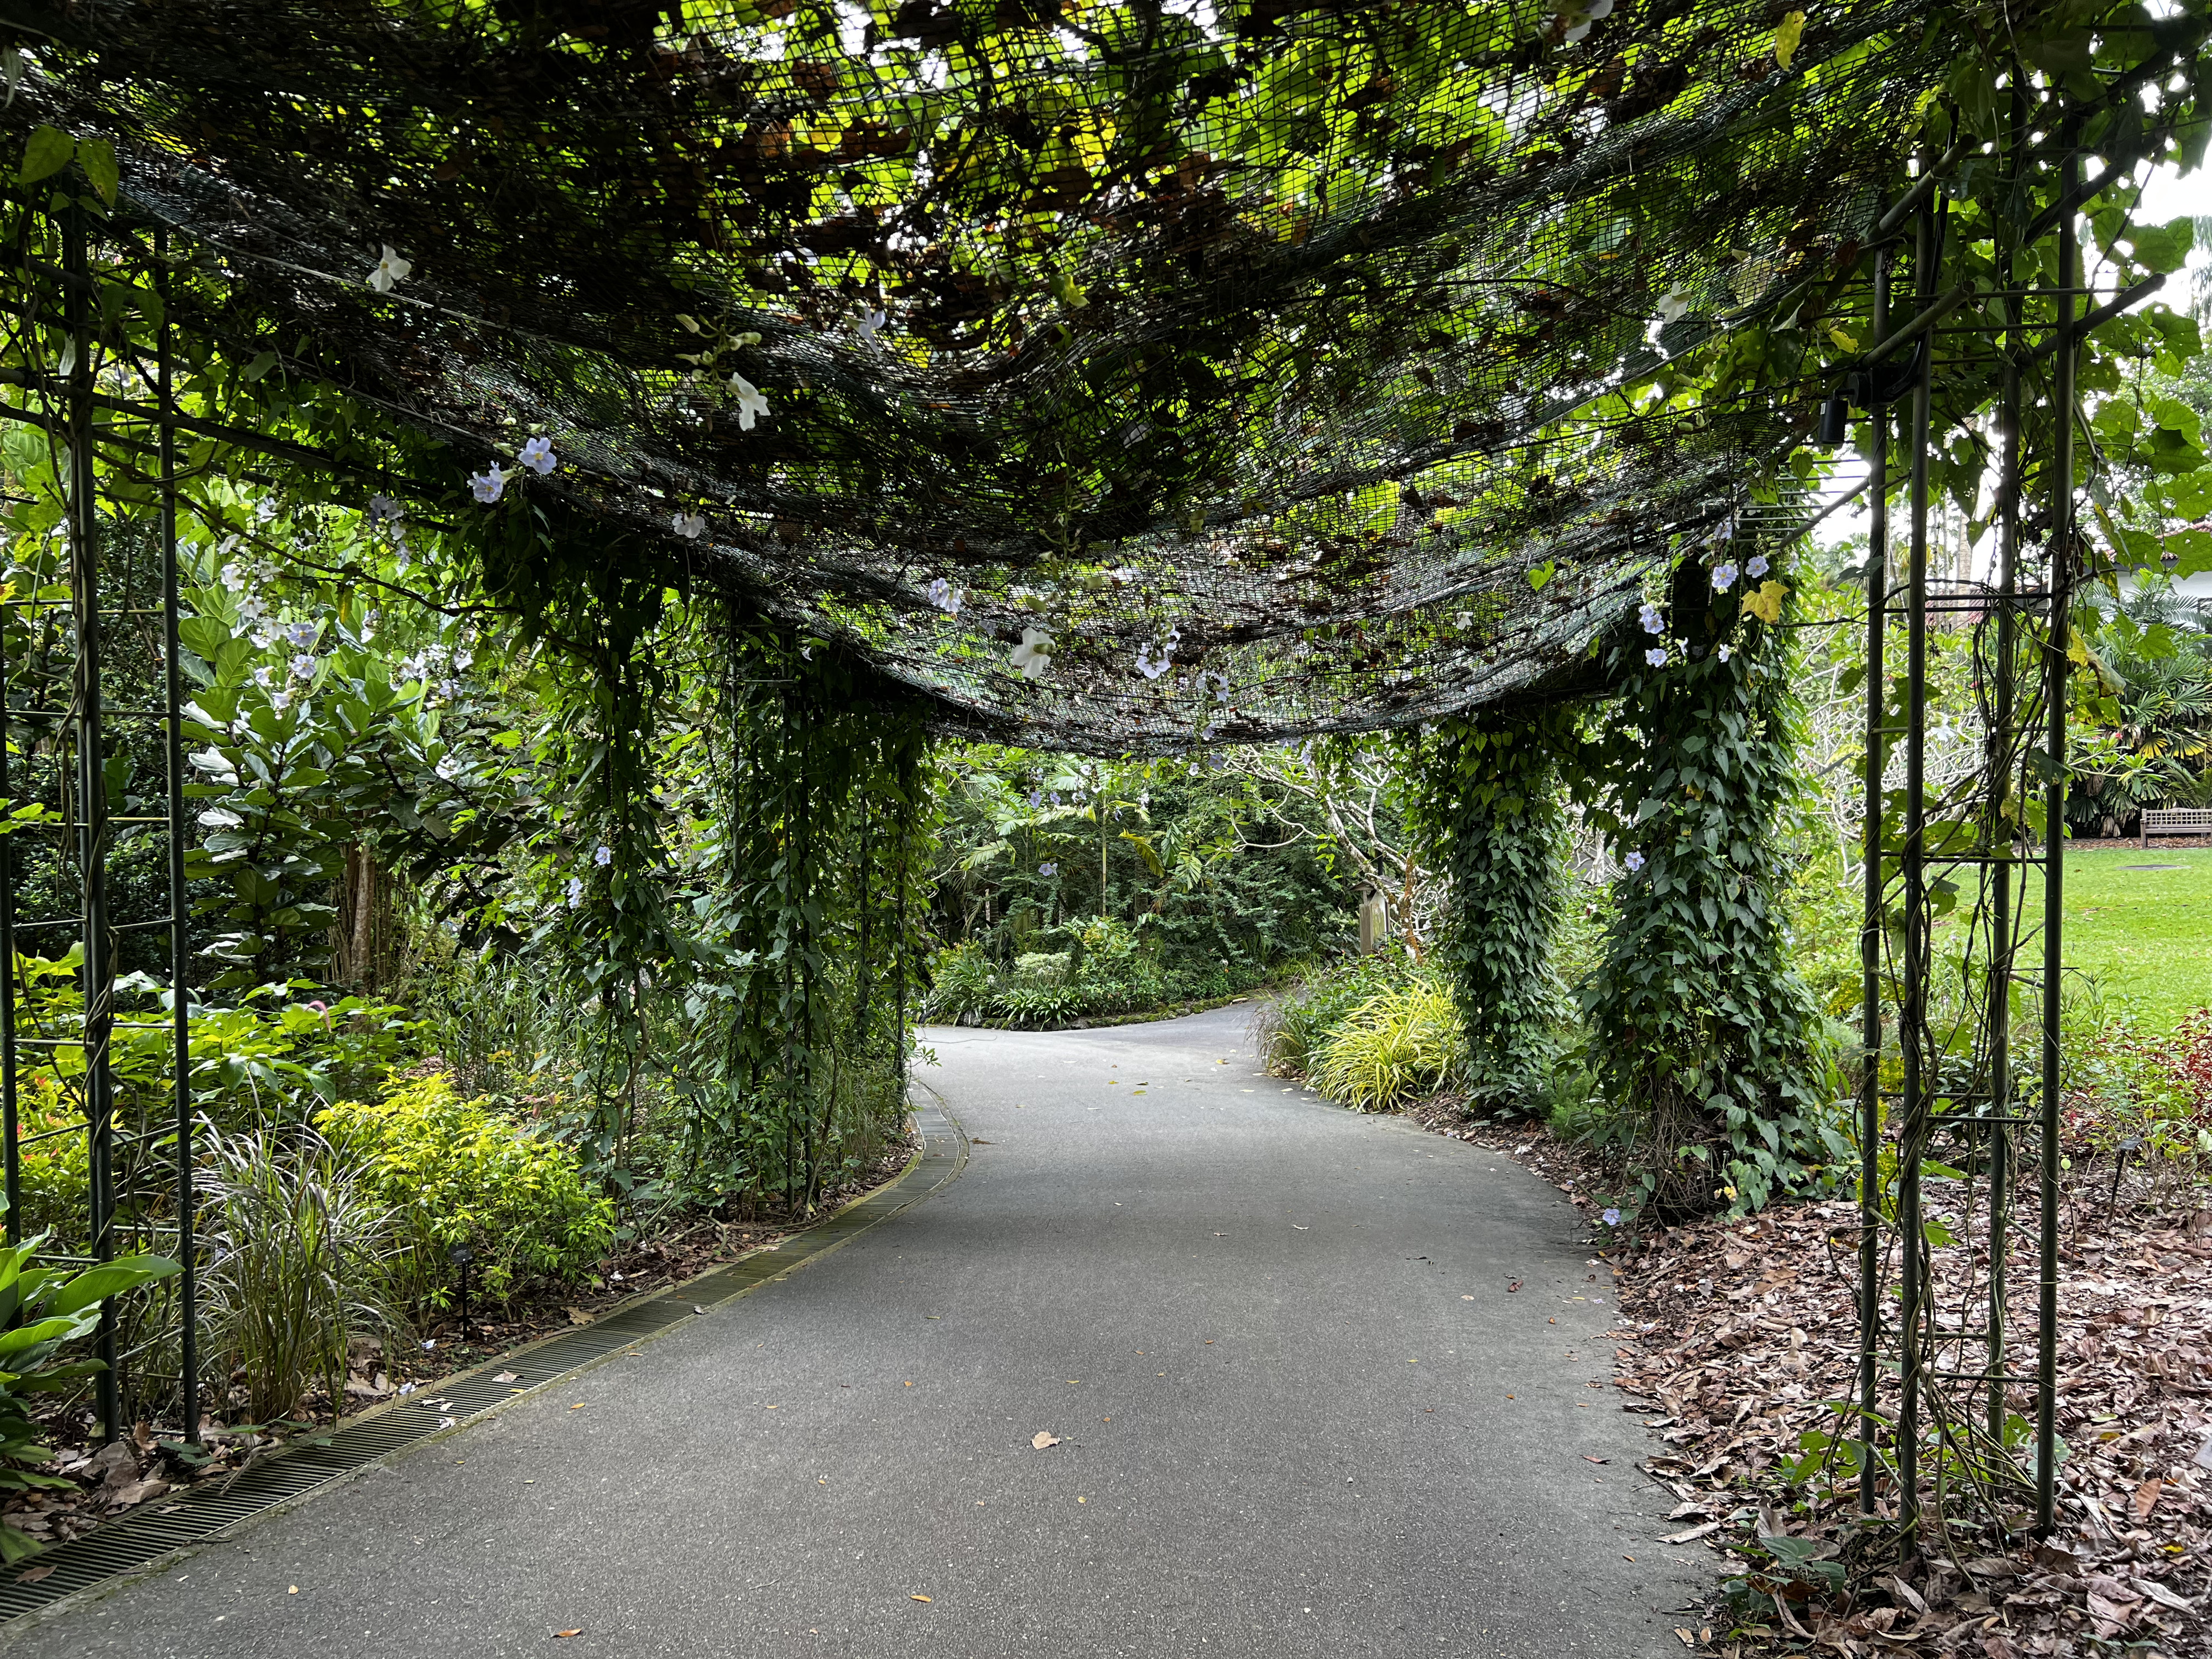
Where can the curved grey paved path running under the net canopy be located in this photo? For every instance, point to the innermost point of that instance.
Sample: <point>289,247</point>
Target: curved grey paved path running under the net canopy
<point>1300,1412</point>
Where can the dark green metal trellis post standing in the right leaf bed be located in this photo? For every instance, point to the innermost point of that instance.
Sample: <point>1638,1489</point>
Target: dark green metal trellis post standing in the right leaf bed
<point>1903,1359</point>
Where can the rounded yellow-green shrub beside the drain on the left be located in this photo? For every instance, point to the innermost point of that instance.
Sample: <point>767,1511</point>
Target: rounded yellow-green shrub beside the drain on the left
<point>459,1171</point>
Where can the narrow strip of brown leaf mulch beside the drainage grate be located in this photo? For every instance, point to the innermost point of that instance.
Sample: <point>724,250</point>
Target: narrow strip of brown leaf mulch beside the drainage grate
<point>149,1463</point>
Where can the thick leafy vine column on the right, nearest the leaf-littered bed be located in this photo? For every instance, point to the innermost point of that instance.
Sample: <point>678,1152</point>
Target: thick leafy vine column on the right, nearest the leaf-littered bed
<point>1700,1027</point>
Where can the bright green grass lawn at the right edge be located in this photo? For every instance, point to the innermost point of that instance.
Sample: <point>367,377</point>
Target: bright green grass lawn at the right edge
<point>2145,935</point>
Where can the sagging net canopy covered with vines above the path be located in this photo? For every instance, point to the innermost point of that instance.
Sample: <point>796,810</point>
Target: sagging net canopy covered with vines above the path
<point>1123,377</point>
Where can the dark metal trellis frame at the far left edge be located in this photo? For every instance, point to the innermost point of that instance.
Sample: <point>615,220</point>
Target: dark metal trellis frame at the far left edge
<point>83,729</point>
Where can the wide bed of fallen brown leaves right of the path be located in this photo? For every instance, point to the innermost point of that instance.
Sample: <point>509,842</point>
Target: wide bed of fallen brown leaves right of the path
<point>1738,1335</point>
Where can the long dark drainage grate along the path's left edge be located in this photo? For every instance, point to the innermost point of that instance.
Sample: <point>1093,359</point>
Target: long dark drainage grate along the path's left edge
<point>213,1507</point>
